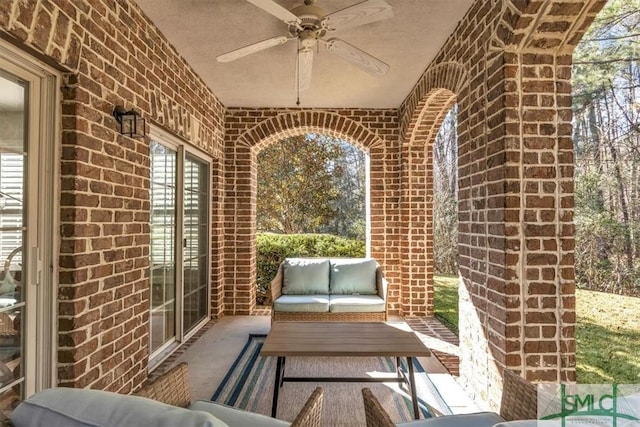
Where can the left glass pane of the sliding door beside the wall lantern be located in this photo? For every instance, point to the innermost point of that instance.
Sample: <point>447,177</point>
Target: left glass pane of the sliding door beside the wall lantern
<point>163,249</point>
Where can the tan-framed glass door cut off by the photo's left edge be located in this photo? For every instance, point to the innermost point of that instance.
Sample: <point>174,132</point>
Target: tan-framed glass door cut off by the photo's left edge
<point>27,328</point>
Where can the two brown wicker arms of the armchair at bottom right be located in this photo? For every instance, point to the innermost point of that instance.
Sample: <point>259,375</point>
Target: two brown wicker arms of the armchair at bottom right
<point>519,402</point>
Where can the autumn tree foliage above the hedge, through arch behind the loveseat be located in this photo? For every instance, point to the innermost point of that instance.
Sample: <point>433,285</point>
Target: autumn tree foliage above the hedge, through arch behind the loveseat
<point>312,184</point>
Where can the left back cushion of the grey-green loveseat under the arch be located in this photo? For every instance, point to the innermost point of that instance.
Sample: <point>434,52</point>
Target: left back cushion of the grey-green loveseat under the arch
<point>305,276</point>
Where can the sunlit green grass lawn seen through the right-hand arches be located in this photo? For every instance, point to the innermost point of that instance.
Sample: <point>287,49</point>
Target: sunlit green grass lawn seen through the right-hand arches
<point>607,333</point>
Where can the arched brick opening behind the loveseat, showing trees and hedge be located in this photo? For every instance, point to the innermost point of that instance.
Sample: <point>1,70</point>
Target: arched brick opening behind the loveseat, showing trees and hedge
<point>312,201</point>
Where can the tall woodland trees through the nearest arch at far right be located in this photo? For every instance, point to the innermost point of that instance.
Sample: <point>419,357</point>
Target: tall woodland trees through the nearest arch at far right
<point>606,104</point>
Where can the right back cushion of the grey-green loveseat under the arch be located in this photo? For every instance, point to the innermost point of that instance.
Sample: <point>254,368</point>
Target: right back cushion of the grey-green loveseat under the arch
<point>353,276</point>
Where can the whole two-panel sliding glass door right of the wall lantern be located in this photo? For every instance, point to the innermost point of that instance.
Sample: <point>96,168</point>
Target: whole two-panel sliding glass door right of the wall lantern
<point>179,259</point>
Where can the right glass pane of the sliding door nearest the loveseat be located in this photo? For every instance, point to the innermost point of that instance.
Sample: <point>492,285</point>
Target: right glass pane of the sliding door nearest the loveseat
<point>196,241</point>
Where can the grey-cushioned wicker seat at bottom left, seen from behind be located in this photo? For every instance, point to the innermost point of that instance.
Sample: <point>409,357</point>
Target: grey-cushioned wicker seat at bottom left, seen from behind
<point>166,402</point>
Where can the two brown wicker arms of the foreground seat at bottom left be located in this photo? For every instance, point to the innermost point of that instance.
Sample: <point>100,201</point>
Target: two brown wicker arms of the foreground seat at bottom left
<point>173,388</point>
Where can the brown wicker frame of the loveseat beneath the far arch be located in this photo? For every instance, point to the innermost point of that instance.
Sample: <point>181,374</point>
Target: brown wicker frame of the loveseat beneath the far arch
<point>382,286</point>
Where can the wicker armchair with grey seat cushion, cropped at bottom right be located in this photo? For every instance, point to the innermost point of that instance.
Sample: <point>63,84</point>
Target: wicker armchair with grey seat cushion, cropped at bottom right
<point>519,402</point>
